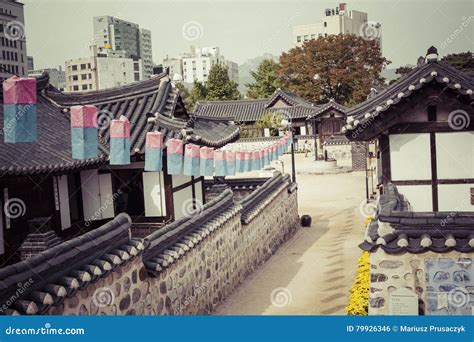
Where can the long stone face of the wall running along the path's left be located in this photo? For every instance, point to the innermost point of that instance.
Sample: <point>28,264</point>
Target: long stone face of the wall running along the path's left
<point>200,279</point>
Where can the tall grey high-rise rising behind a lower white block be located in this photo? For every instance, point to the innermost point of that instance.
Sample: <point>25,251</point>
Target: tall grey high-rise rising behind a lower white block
<point>111,33</point>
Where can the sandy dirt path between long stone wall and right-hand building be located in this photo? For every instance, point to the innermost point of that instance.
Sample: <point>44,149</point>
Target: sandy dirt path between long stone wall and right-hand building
<point>312,273</point>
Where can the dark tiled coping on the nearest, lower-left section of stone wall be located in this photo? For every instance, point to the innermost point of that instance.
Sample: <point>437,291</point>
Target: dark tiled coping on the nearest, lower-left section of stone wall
<point>59,272</point>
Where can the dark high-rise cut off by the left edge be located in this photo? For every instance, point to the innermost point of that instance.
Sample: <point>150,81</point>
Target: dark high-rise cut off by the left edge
<point>12,39</point>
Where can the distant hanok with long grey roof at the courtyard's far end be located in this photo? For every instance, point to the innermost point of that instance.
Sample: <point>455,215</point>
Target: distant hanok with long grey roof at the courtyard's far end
<point>328,120</point>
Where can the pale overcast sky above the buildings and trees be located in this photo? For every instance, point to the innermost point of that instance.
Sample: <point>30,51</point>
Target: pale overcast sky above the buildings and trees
<point>58,30</point>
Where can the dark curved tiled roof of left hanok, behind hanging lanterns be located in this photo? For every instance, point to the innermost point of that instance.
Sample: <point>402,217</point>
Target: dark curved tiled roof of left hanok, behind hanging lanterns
<point>150,105</point>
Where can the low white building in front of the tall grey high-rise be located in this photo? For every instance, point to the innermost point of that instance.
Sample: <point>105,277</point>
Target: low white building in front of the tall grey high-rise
<point>105,69</point>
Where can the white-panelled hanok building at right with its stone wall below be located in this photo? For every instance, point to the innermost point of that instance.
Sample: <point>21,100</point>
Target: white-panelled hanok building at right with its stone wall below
<point>422,236</point>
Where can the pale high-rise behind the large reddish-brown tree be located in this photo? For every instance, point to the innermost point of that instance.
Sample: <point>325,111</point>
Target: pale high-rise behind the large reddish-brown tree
<point>336,21</point>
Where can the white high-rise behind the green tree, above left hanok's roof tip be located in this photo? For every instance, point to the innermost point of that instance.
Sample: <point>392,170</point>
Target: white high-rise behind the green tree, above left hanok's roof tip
<point>195,65</point>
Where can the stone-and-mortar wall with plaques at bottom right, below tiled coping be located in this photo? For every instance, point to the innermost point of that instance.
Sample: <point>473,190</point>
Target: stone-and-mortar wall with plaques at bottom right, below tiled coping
<point>443,282</point>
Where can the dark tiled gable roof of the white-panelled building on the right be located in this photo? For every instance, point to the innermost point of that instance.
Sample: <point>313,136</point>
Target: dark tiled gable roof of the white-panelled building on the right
<point>433,71</point>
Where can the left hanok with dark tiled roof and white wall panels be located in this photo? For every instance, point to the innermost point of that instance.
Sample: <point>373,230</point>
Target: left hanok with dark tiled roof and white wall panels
<point>47,192</point>
